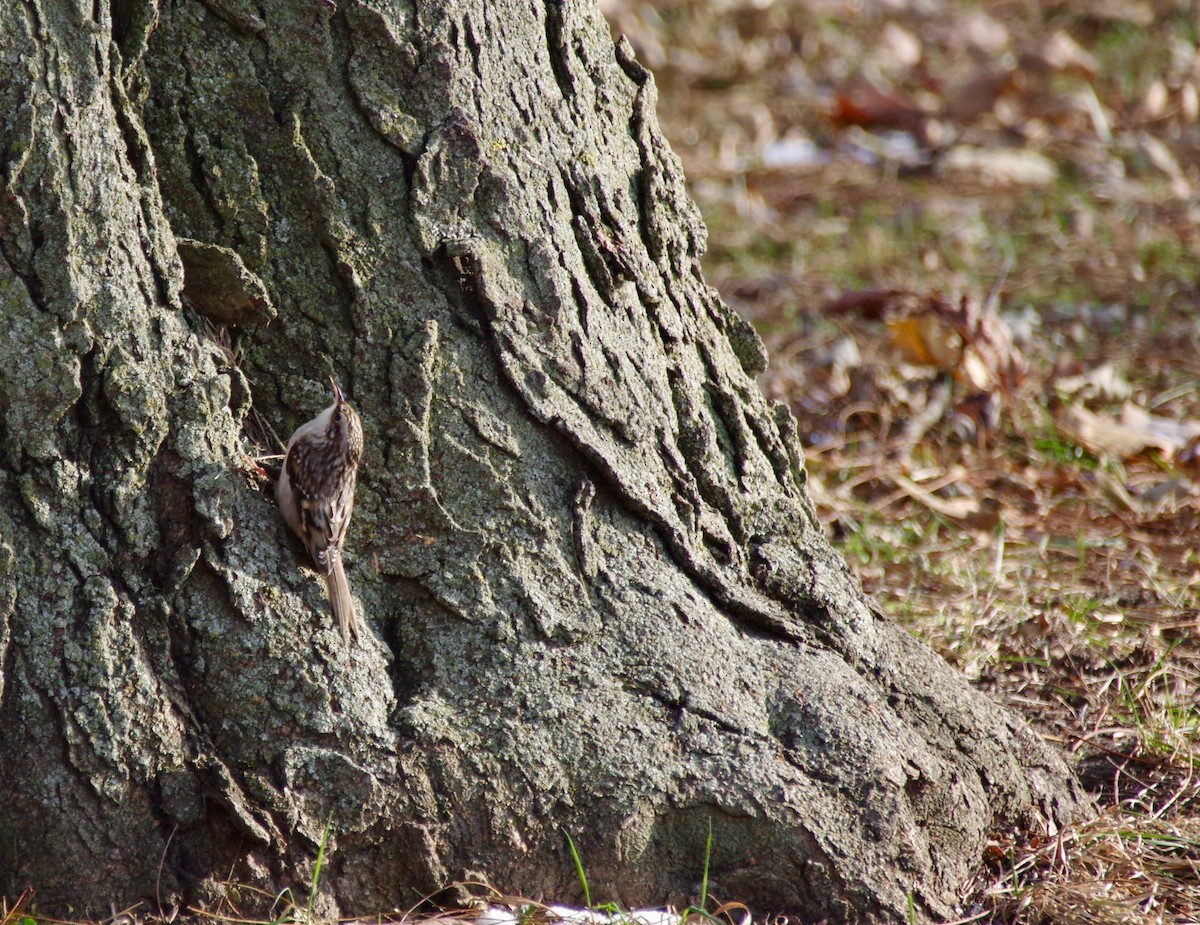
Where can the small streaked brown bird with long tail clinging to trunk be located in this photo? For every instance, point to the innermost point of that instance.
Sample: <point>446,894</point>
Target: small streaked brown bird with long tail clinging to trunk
<point>316,496</point>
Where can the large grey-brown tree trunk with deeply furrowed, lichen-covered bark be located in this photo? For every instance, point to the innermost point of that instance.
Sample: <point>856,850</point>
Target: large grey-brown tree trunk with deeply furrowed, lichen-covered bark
<point>597,599</point>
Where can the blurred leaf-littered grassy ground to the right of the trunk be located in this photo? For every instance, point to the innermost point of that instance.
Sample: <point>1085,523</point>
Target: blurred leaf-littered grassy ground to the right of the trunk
<point>970,237</point>
